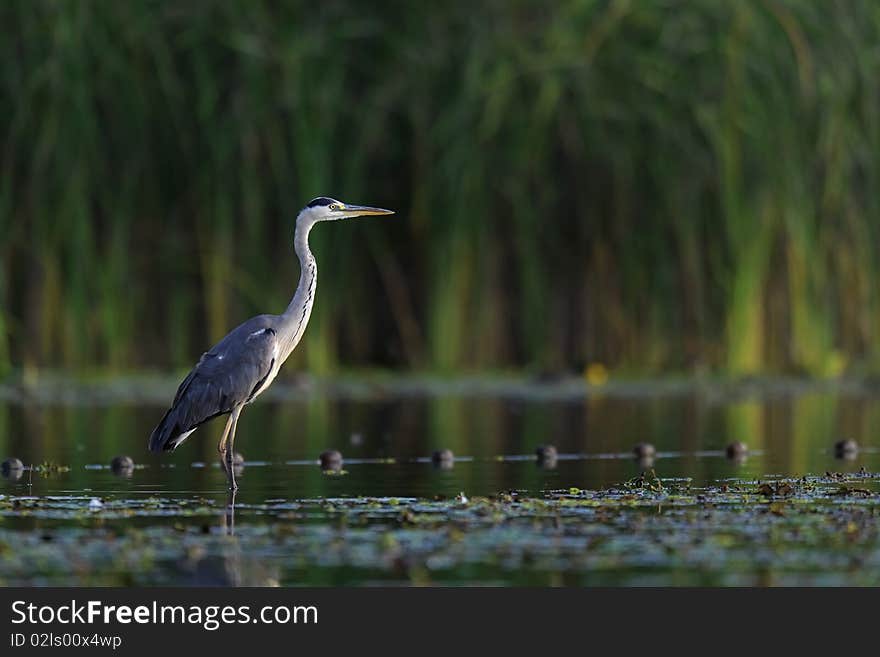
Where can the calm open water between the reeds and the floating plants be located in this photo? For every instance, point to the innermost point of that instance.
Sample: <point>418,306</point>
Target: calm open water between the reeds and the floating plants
<point>493,439</point>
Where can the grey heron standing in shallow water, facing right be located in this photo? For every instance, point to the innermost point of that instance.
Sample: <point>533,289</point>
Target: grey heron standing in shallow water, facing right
<point>235,371</point>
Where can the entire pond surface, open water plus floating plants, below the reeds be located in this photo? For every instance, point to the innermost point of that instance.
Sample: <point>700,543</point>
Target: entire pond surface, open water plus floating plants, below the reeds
<point>395,518</point>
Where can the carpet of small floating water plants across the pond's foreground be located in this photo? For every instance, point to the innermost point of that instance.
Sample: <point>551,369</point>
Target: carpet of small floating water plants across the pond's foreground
<point>809,530</point>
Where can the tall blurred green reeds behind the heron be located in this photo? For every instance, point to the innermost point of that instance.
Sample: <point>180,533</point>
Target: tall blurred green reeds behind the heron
<point>656,185</point>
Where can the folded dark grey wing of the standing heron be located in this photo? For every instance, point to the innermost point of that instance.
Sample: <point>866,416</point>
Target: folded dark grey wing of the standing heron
<point>225,377</point>
